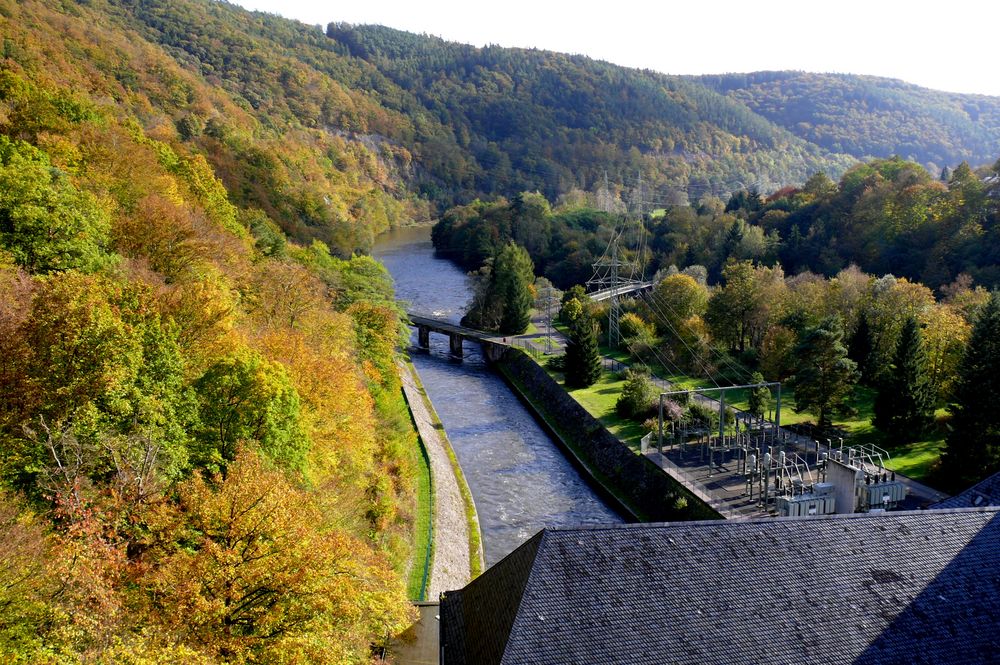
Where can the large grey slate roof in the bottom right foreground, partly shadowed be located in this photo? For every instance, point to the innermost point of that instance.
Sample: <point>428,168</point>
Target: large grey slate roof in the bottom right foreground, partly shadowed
<point>903,587</point>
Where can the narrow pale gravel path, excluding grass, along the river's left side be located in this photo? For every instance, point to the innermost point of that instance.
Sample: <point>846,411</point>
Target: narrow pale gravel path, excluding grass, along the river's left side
<point>450,568</point>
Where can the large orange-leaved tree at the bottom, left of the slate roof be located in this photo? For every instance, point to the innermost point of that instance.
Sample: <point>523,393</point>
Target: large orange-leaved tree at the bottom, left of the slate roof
<point>247,567</point>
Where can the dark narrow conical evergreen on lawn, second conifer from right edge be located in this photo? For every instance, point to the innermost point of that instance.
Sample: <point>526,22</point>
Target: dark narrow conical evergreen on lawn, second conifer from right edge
<point>905,403</point>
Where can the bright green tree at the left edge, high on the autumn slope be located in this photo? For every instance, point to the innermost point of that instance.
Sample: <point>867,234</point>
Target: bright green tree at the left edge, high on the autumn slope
<point>46,223</point>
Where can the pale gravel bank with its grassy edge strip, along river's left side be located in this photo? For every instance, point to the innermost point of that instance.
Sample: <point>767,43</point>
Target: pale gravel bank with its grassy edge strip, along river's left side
<point>457,544</point>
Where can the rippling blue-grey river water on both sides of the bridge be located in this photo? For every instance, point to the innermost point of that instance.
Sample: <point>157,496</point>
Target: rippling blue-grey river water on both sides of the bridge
<point>519,478</point>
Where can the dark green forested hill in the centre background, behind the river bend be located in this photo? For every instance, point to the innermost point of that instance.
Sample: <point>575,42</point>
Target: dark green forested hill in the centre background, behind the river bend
<point>537,120</point>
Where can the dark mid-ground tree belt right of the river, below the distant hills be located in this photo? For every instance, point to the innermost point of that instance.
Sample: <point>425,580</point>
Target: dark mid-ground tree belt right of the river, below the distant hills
<point>884,216</point>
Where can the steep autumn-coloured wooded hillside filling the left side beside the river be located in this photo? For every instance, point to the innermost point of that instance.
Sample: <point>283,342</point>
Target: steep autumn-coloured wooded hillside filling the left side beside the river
<point>204,452</point>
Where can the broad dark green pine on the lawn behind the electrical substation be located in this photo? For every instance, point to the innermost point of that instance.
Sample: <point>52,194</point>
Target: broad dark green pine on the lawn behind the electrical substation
<point>825,374</point>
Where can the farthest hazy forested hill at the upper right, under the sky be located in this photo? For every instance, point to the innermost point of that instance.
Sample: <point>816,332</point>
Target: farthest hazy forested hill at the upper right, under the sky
<point>867,116</point>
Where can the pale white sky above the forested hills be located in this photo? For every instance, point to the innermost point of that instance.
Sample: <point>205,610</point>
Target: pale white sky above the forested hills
<point>938,45</point>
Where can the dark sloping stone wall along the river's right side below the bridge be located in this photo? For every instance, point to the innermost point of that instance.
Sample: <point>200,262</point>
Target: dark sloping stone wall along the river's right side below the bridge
<point>637,485</point>
